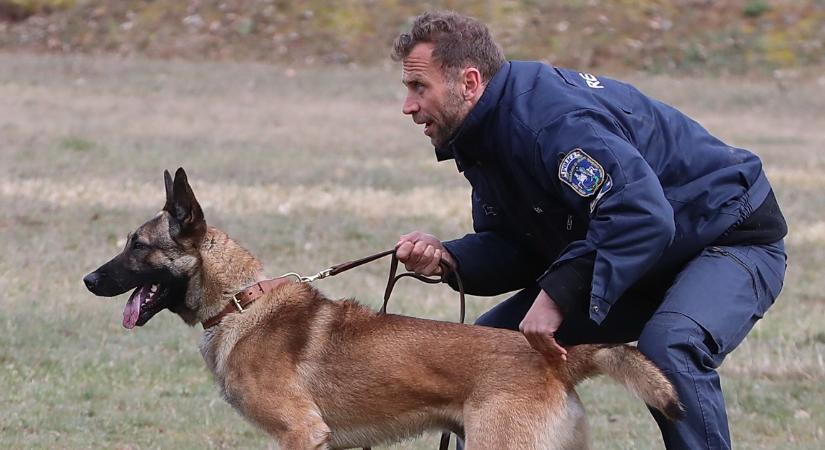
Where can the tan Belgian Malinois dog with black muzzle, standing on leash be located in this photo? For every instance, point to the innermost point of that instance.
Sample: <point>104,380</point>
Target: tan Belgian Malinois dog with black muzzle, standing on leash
<point>316,373</point>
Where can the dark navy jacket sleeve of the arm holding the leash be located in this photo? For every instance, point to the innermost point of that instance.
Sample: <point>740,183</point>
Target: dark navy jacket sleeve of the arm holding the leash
<point>492,261</point>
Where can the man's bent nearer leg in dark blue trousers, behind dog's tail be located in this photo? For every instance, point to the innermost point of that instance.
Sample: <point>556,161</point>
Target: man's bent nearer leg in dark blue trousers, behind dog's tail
<point>712,305</point>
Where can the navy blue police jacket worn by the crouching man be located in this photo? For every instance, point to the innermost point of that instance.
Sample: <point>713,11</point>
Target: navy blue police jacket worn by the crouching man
<point>578,178</point>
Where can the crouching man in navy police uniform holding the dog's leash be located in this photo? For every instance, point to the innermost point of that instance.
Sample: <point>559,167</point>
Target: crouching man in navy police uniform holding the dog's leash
<point>615,217</point>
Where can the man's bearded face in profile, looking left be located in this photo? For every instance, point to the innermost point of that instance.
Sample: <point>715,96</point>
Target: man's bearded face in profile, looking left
<point>432,100</point>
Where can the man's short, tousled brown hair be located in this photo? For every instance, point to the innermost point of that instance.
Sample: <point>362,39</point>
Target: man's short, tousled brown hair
<point>458,42</point>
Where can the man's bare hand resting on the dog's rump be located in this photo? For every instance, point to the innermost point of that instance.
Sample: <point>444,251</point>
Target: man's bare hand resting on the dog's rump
<point>540,324</point>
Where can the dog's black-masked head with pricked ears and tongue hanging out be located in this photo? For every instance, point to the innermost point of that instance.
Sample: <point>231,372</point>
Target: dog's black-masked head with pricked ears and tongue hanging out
<point>159,258</point>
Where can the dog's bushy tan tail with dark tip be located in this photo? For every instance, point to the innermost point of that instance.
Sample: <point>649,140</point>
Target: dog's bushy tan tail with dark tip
<point>626,365</point>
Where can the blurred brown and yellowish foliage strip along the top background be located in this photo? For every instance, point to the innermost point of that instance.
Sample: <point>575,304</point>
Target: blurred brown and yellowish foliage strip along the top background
<point>735,36</point>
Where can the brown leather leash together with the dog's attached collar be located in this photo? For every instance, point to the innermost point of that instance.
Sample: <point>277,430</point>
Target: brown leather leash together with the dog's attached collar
<point>242,299</point>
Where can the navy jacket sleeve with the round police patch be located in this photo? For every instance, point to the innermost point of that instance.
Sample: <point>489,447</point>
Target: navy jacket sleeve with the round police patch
<point>588,160</point>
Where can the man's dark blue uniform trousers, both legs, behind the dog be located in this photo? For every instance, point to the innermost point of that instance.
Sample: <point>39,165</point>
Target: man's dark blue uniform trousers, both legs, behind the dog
<point>686,330</point>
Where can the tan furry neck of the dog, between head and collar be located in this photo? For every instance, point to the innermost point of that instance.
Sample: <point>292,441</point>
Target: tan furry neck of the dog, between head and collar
<point>226,268</point>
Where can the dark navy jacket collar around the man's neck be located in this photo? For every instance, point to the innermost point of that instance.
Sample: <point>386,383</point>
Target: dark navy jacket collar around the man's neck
<point>468,138</point>
